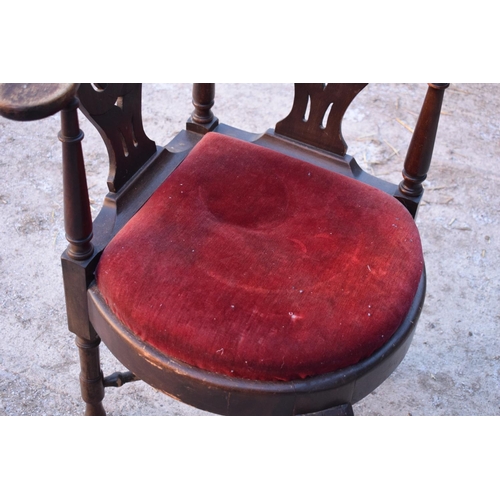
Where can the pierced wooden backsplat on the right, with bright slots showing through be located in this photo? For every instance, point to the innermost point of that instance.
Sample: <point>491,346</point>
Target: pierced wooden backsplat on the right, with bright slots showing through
<point>317,112</point>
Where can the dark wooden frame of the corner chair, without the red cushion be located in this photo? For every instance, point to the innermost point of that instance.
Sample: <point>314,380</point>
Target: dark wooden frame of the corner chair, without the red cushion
<point>137,168</point>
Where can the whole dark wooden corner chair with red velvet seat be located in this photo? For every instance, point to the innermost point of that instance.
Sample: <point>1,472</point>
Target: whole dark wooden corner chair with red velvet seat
<point>244,274</point>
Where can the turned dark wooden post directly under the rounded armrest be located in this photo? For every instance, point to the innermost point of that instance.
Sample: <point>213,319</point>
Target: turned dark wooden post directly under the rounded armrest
<point>77,216</point>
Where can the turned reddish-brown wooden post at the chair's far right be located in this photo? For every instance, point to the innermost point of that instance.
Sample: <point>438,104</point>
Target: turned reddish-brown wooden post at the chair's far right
<point>418,157</point>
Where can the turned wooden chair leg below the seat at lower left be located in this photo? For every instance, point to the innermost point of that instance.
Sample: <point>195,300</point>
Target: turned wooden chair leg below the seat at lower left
<point>91,378</point>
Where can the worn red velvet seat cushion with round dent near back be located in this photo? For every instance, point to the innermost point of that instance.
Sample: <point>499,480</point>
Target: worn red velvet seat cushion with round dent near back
<point>252,264</point>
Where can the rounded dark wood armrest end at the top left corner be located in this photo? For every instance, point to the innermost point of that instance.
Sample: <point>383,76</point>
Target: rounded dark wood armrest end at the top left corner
<point>34,101</point>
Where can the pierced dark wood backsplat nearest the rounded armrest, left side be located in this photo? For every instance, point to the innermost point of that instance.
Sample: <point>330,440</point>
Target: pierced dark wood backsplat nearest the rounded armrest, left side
<point>115,110</point>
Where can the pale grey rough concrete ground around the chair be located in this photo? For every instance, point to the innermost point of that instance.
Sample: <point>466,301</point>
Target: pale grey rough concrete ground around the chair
<point>453,366</point>
